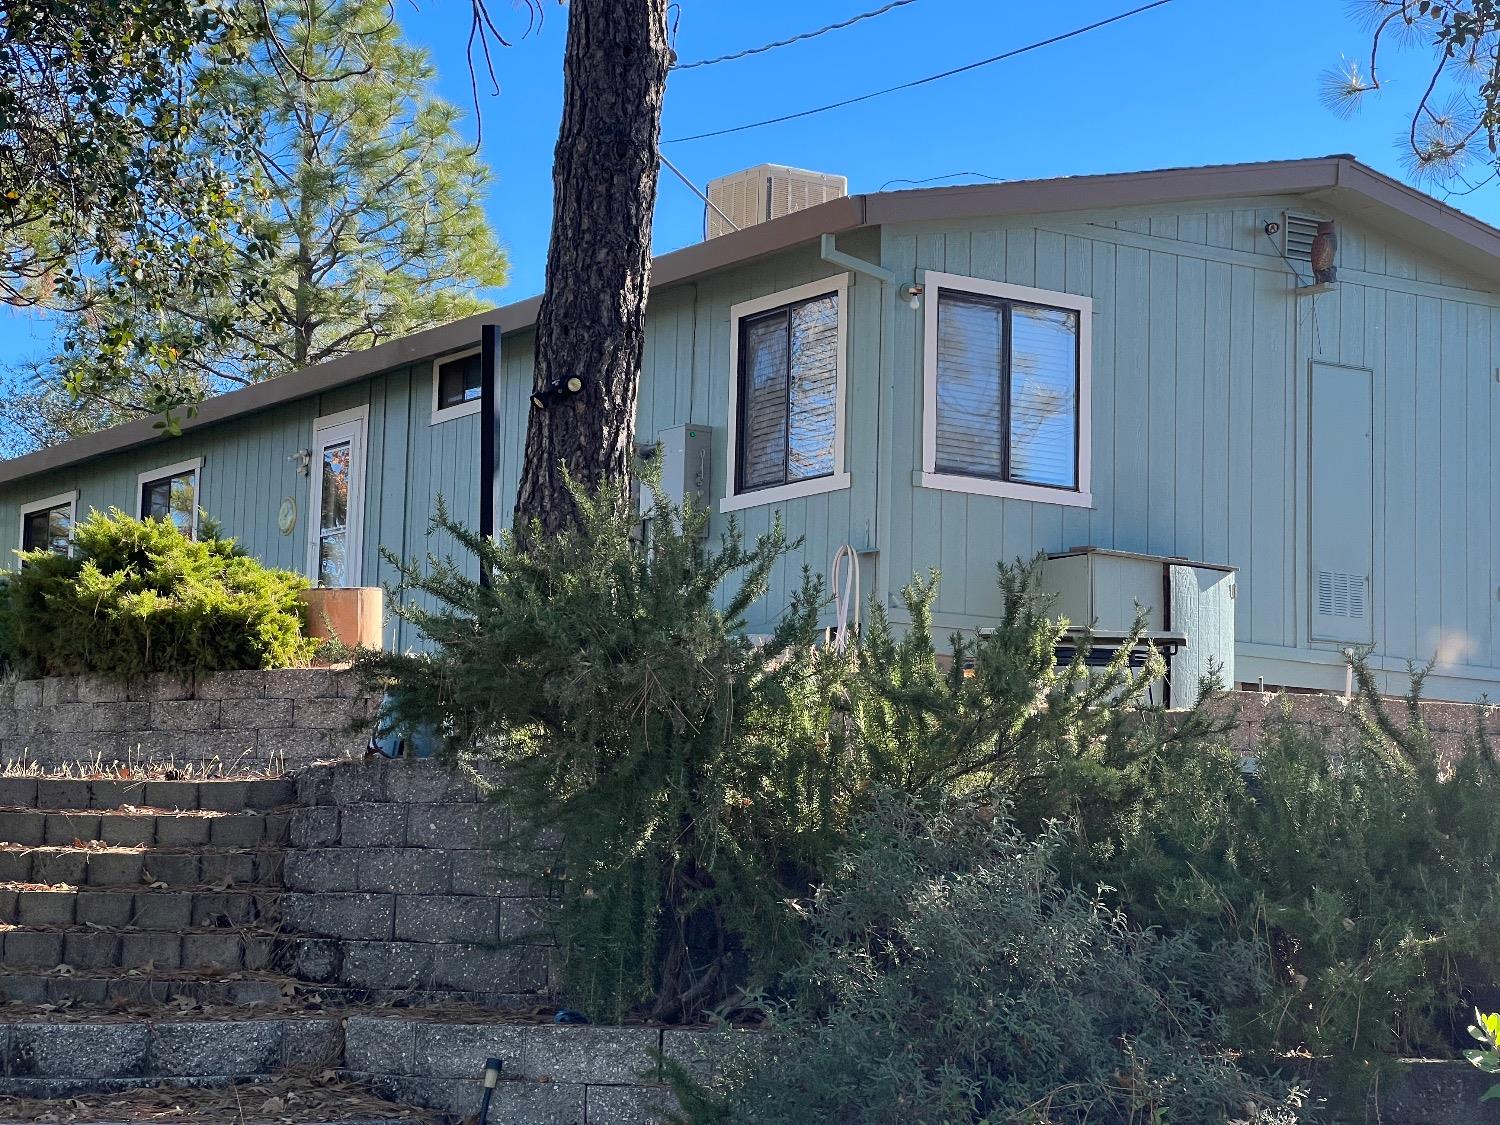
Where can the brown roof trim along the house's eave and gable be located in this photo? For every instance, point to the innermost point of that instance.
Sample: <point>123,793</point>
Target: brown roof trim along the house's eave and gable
<point>1340,179</point>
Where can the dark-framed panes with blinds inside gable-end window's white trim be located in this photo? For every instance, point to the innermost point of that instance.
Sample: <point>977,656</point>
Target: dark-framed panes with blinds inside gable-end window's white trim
<point>1007,389</point>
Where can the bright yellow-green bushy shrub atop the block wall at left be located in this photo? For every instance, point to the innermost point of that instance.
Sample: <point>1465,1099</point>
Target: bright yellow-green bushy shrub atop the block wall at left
<point>139,596</point>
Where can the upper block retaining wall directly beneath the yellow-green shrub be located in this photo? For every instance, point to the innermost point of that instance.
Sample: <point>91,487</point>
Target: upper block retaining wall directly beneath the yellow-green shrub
<point>244,721</point>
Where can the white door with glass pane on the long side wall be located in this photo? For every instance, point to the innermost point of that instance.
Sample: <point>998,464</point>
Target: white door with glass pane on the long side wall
<point>338,500</point>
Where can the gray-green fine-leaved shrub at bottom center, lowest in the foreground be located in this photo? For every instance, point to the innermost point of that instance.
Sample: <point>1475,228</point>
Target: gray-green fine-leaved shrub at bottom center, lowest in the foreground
<point>955,980</point>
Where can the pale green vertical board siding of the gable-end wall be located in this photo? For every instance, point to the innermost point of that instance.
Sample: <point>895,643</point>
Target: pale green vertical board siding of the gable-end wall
<point>1201,391</point>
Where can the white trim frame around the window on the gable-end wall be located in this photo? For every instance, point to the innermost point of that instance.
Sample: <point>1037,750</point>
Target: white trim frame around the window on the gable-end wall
<point>982,487</point>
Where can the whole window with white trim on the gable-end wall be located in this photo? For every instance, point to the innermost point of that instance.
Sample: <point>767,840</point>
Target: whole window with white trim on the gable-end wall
<point>1007,391</point>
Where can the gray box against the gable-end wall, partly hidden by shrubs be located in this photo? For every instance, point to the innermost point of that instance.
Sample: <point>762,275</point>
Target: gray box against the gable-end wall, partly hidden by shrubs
<point>1190,610</point>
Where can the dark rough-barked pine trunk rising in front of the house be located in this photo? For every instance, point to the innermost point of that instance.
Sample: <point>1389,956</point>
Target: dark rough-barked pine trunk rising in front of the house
<point>592,323</point>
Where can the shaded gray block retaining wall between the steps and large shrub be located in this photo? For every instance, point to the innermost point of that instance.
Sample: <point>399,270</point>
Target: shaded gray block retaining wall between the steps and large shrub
<point>394,890</point>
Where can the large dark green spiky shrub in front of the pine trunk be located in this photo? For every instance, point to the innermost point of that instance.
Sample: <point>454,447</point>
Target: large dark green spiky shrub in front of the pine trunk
<point>673,782</point>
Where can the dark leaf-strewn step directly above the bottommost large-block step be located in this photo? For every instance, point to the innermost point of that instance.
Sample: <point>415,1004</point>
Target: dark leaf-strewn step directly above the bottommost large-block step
<point>115,989</point>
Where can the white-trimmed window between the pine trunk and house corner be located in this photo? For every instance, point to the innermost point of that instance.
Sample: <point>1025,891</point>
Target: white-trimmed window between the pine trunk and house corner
<point>787,418</point>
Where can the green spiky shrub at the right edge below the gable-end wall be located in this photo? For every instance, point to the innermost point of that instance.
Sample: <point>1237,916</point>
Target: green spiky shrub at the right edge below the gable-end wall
<point>1367,871</point>
